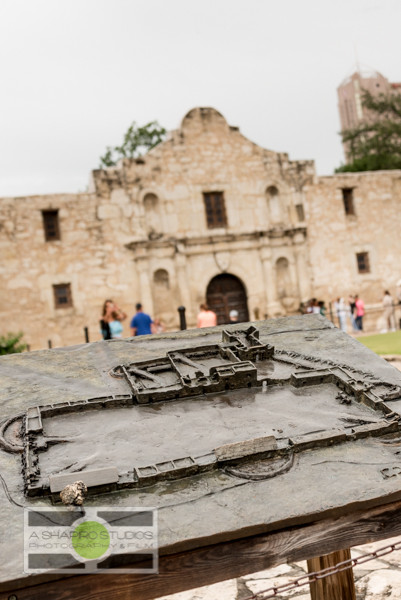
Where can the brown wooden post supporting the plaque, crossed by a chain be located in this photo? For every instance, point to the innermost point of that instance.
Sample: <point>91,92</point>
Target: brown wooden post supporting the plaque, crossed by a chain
<point>334,587</point>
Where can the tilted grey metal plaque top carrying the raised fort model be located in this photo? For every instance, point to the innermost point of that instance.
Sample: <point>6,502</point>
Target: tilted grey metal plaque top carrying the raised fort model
<point>164,412</point>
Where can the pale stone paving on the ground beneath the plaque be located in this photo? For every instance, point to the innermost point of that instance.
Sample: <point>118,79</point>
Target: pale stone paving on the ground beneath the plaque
<point>379,579</point>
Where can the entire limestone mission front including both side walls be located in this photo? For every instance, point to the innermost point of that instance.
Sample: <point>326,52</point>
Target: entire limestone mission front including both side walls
<point>205,215</point>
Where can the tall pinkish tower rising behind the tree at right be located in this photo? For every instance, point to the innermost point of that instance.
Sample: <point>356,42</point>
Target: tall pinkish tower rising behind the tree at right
<point>350,107</point>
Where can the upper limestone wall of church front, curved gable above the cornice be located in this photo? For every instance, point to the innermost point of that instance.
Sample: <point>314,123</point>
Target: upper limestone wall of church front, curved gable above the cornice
<point>206,154</point>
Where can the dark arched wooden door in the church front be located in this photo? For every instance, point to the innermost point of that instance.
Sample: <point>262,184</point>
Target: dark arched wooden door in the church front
<point>224,293</point>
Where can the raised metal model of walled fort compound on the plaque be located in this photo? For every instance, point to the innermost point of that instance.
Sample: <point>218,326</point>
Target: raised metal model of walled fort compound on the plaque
<point>239,406</point>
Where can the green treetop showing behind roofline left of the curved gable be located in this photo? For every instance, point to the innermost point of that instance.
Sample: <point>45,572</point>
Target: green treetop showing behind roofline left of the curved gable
<point>136,142</point>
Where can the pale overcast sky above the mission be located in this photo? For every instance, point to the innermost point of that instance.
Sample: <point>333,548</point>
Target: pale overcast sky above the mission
<point>76,73</point>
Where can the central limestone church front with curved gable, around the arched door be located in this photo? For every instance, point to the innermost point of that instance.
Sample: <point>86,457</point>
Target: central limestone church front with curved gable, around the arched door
<point>155,207</point>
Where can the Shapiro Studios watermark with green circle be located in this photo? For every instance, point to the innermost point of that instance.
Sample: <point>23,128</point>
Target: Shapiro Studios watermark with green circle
<point>97,539</point>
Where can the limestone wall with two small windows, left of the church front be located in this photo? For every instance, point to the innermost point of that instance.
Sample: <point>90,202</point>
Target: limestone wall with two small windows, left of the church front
<point>30,266</point>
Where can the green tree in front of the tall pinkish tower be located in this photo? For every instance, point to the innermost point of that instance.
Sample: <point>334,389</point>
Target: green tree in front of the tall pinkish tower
<point>375,144</point>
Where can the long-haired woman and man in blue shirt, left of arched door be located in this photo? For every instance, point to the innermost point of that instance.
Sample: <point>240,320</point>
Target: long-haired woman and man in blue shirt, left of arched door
<point>141,323</point>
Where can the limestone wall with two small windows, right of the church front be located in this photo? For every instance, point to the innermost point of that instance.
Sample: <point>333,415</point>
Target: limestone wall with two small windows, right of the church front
<point>335,238</point>
